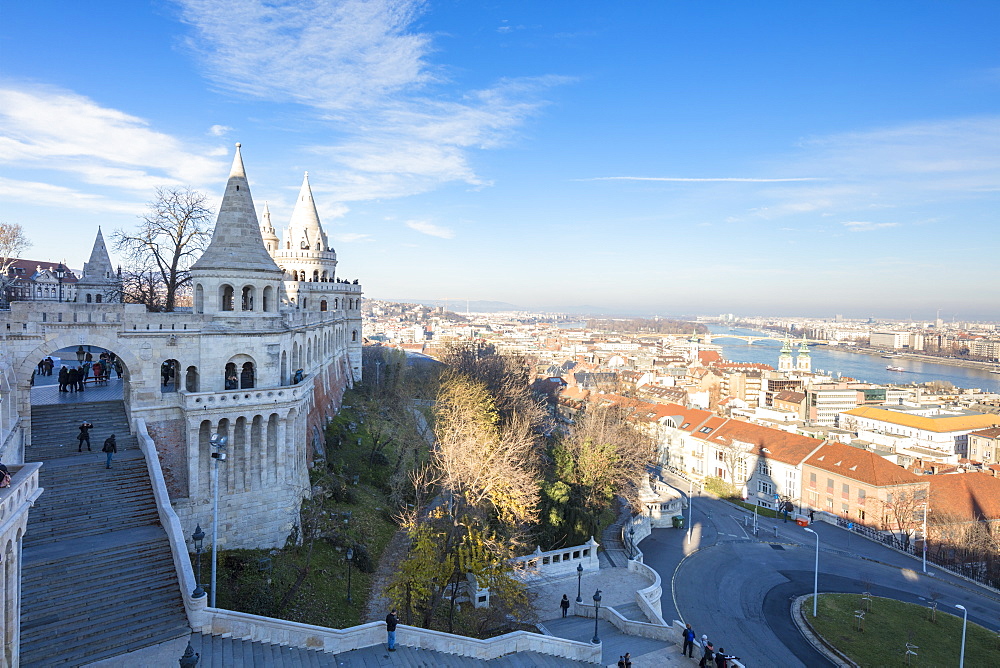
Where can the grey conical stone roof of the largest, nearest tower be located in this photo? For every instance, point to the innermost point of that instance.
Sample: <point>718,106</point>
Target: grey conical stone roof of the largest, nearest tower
<point>236,242</point>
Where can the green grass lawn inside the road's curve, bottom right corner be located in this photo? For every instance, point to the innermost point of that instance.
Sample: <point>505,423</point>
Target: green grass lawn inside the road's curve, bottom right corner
<point>891,624</point>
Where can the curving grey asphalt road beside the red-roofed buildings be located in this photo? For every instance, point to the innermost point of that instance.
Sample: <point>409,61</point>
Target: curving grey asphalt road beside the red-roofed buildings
<point>737,588</point>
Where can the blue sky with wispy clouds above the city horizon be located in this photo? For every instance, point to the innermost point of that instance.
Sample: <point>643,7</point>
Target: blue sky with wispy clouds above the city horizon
<point>654,157</point>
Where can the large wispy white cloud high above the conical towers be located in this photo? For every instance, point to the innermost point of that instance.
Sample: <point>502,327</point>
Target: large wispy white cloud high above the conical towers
<point>362,67</point>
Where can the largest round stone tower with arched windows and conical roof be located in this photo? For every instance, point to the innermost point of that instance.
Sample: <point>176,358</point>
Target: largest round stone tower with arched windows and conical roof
<point>235,274</point>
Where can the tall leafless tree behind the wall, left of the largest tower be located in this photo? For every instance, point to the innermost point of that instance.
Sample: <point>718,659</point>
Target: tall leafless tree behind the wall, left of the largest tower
<point>172,235</point>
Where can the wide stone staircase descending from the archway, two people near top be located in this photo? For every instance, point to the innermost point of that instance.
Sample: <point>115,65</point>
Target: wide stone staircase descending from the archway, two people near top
<point>98,579</point>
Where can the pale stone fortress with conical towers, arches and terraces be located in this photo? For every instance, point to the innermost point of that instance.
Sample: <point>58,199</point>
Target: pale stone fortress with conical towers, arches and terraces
<point>263,358</point>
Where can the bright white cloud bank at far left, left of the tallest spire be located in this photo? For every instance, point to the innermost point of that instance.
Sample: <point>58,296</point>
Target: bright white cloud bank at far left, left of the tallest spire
<point>53,129</point>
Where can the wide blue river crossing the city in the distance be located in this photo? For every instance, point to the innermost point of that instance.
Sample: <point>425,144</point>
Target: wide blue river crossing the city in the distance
<point>869,368</point>
